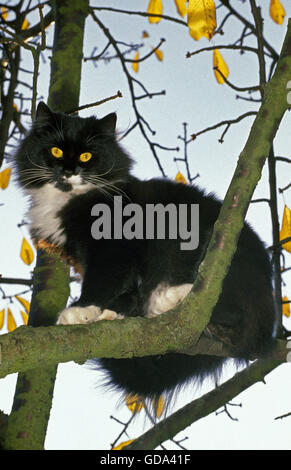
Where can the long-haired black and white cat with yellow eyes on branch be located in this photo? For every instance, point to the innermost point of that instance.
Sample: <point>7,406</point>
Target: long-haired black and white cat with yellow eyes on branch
<point>67,165</point>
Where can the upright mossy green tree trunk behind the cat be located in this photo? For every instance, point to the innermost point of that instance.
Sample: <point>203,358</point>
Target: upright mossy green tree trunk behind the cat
<point>28,420</point>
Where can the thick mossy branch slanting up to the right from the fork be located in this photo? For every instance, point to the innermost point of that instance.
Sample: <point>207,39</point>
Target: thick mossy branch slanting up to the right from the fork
<point>208,284</point>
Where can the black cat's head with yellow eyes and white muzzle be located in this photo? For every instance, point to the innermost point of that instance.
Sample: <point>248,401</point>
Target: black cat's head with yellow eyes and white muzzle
<point>71,153</point>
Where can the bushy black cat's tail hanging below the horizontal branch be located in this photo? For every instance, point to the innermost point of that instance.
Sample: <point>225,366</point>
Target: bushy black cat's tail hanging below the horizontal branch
<point>152,376</point>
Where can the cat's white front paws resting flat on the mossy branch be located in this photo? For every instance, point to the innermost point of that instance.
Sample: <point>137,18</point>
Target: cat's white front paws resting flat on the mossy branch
<point>83,315</point>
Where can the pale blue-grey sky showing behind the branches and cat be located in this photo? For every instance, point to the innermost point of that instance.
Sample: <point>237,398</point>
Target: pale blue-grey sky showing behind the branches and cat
<point>82,410</point>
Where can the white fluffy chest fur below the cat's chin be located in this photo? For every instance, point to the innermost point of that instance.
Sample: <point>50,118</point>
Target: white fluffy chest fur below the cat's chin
<point>43,216</point>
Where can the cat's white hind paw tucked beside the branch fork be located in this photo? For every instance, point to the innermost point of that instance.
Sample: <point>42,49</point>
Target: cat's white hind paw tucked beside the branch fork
<point>165,298</point>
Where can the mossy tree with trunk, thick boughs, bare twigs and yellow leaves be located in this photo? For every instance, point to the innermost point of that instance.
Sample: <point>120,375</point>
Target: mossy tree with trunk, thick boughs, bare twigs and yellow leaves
<point>27,349</point>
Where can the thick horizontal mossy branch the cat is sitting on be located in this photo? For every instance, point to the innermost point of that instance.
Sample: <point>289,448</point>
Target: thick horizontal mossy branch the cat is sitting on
<point>26,348</point>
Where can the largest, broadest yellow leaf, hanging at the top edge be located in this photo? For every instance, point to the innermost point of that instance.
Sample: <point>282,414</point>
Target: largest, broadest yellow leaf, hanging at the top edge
<point>201,18</point>
